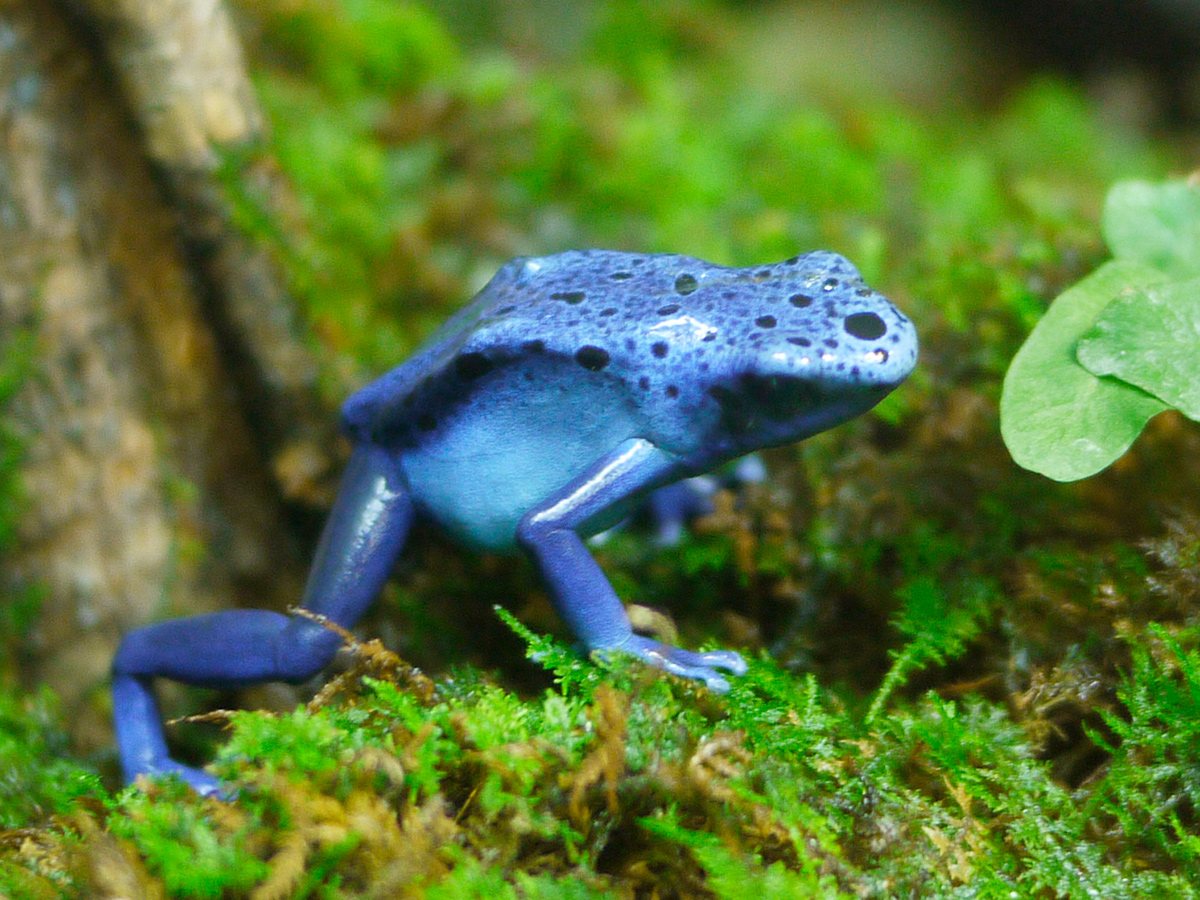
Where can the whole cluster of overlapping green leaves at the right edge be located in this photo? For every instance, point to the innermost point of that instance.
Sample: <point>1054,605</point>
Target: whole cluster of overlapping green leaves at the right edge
<point>1117,349</point>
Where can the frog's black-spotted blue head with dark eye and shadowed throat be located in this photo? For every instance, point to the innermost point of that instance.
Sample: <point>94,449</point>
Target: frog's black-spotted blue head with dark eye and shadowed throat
<point>817,347</point>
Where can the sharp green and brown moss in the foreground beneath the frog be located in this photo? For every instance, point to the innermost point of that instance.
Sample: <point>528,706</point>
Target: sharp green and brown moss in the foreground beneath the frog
<point>621,782</point>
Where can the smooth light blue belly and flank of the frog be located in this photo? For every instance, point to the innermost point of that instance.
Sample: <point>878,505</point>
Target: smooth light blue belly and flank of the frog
<point>497,457</point>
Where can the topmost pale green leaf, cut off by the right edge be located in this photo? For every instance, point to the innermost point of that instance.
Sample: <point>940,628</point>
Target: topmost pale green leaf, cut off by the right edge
<point>1157,225</point>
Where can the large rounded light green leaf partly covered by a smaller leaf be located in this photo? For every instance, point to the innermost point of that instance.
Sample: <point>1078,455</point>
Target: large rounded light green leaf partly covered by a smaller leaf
<point>1058,418</point>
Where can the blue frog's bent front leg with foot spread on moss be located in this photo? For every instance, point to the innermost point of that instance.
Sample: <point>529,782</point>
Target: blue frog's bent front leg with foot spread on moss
<point>580,590</point>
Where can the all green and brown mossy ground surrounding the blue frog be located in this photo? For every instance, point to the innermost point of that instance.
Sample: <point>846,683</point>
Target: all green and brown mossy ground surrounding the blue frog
<point>969,681</point>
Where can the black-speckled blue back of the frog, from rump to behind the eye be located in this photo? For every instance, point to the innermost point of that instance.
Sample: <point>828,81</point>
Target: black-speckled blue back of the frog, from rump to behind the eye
<point>656,323</point>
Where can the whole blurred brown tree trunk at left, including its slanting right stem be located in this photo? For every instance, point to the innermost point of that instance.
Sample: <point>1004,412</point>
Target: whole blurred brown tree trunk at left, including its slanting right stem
<point>171,385</point>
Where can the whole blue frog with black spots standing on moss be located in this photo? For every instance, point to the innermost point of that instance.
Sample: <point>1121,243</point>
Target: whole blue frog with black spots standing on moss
<point>572,388</point>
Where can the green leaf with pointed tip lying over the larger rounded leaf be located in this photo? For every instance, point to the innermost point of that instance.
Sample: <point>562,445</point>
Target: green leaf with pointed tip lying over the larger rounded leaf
<point>1151,339</point>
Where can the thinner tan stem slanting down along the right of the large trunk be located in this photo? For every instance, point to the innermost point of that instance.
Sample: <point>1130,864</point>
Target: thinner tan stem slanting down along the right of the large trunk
<point>182,71</point>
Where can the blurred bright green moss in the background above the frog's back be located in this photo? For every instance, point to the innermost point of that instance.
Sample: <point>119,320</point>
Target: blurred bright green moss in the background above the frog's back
<point>418,170</point>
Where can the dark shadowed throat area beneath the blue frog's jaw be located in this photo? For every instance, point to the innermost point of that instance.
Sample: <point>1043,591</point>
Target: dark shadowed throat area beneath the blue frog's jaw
<point>782,409</point>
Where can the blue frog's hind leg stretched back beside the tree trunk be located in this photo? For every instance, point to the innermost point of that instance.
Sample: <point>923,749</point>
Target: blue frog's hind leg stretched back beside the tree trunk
<point>365,532</point>
